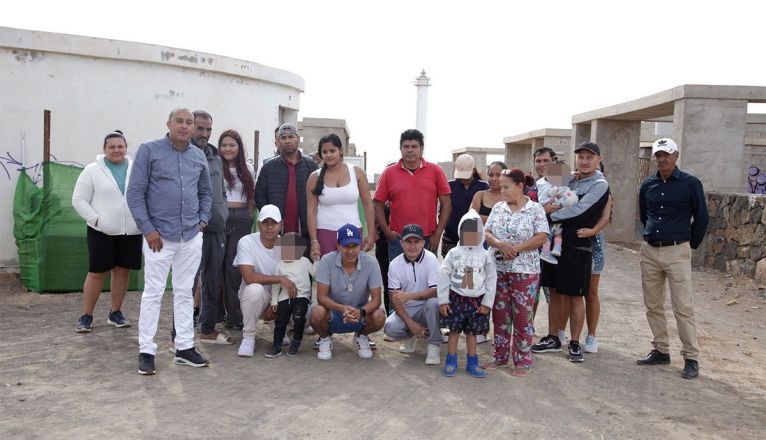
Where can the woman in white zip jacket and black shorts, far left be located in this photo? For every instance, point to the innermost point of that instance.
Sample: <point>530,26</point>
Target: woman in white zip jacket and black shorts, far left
<point>114,240</point>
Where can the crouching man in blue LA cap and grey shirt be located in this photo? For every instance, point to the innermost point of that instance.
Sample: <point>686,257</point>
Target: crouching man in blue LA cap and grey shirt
<point>348,294</point>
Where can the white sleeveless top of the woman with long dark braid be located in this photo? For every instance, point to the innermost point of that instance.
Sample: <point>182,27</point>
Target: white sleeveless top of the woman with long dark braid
<point>338,206</point>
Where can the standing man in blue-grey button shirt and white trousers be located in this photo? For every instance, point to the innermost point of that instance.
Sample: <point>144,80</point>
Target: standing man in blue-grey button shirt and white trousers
<point>169,197</point>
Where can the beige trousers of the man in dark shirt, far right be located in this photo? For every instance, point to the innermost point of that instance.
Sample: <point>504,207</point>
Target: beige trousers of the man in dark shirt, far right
<point>671,263</point>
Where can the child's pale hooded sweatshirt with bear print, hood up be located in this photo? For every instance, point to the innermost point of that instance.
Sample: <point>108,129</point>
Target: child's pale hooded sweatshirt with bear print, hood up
<point>474,260</point>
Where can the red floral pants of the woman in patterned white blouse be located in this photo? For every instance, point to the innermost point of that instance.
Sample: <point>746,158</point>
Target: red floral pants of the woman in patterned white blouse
<point>514,300</point>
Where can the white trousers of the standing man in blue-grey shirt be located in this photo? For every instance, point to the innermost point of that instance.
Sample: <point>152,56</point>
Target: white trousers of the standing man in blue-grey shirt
<point>184,258</point>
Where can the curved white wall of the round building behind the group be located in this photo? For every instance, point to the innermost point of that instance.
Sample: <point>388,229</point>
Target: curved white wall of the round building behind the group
<point>93,86</point>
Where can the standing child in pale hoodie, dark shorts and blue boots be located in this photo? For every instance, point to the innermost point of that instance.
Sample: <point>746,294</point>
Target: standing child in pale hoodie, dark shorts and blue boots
<point>466,293</point>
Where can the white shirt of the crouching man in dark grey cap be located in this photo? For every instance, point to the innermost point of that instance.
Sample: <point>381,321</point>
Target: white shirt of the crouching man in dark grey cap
<point>413,277</point>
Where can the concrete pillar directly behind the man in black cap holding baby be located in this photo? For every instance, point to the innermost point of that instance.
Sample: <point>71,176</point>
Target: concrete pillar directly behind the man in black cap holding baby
<point>619,142</point>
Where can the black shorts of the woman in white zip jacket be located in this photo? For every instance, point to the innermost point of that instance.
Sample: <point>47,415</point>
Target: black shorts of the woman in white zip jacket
<point>107,251</point>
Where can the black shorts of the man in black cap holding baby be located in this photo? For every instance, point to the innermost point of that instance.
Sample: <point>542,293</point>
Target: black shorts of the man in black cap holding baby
<point>571,276</point>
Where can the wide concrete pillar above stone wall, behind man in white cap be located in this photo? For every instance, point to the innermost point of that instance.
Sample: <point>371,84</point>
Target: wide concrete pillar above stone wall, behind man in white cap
<point>710,134</point>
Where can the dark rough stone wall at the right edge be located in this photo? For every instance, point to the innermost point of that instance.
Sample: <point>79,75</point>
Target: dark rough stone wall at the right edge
<point>736,236</point>
